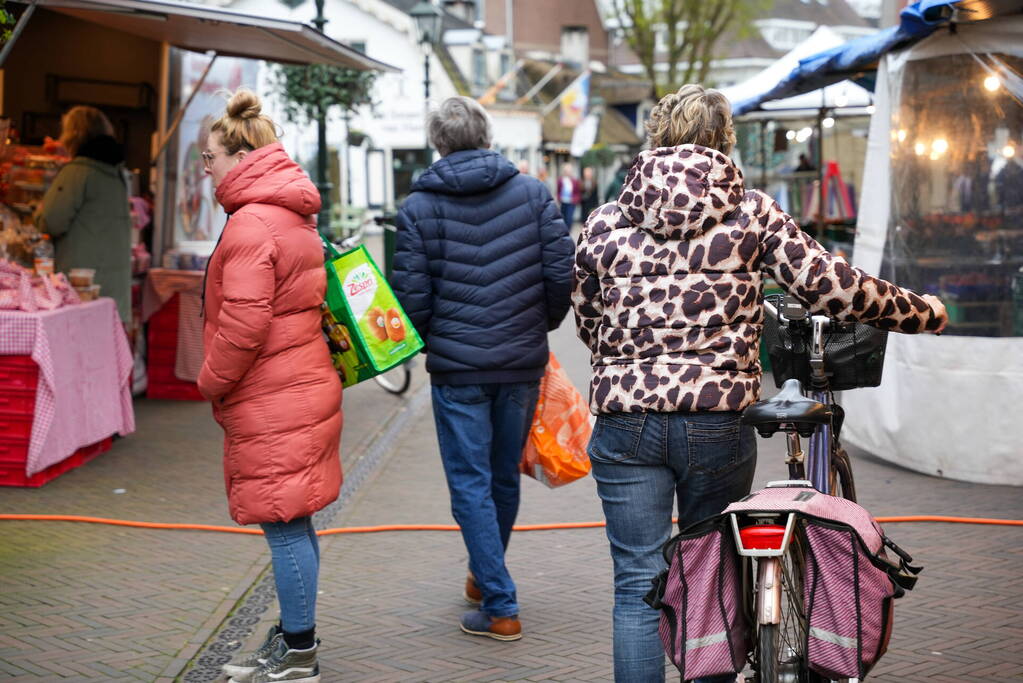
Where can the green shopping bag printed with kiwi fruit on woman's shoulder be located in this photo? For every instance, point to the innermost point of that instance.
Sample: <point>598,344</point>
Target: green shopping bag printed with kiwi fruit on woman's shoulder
<point>367,331</point>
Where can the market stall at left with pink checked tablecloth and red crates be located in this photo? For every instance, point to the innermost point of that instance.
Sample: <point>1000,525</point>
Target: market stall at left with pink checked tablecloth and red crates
<point>114,56</point>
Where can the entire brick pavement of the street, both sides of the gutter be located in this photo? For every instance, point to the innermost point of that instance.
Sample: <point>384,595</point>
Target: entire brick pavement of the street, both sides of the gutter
<point>100,604</point>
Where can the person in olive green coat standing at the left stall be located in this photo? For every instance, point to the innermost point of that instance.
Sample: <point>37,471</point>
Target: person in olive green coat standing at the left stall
<point>86,208</point>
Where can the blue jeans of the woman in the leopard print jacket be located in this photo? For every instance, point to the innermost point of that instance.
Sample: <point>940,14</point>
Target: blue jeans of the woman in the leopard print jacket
<point>643,464</point>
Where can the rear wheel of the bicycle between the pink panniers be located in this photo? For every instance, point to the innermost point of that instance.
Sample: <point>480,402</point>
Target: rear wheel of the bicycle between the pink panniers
<point>782,647</point>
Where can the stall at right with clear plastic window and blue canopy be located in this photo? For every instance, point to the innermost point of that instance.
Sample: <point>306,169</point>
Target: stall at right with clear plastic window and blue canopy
<point>942,212</point>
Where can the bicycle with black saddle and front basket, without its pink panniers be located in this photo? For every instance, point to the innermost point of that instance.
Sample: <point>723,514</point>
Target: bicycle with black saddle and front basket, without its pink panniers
<point>773,540</point>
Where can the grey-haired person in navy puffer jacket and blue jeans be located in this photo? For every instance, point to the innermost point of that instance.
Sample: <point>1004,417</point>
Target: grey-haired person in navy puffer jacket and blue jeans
<point>483,268</point>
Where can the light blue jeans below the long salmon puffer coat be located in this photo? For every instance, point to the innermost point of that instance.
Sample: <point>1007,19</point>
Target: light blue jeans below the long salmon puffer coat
<point>295,557</point>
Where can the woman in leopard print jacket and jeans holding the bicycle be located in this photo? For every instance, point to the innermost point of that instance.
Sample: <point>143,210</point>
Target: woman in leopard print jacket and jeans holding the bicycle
<point>670,299</point>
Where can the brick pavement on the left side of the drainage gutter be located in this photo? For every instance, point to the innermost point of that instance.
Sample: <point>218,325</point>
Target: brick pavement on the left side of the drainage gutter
<point>101,604</point>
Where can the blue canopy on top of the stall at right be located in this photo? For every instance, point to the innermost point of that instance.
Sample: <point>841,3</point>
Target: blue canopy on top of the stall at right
<point>857,61</point>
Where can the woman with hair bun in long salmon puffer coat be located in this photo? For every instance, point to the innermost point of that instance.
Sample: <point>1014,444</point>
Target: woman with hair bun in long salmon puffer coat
<point>269,373</point>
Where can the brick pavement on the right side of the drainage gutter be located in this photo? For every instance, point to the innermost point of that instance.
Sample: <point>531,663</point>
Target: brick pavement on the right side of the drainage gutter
<point>391,603</point>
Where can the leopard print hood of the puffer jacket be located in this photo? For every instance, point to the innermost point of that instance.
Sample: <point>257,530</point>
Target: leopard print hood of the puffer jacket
<point>680,193</point>
